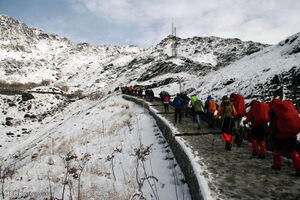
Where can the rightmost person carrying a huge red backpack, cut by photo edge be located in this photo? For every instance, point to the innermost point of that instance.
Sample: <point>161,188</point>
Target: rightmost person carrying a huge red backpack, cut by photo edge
<point>284,125</point>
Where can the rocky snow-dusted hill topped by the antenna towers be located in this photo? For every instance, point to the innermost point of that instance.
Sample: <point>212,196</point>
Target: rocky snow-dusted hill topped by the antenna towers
<point>196,56</point>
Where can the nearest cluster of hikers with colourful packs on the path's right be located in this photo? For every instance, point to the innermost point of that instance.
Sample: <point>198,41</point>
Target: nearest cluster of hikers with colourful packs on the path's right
<point>277,118</point>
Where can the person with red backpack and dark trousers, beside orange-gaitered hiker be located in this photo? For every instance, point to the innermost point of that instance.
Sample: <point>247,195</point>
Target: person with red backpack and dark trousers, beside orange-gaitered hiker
<point>239,105</point>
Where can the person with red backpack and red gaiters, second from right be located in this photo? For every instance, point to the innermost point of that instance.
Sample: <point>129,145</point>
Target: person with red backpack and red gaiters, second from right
<point>259,117</point>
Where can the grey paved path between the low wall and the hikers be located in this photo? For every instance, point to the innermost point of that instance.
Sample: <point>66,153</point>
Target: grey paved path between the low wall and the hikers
<point>232,174</point>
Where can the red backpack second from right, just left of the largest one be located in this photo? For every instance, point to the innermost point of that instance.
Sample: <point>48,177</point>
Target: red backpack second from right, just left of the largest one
<point>261,113</point>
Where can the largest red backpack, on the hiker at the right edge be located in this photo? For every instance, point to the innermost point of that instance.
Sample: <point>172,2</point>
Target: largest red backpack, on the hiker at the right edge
<point>288,118</point>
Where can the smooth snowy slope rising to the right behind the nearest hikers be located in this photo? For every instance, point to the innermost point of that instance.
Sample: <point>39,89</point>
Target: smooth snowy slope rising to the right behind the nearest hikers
<point>254,76</point>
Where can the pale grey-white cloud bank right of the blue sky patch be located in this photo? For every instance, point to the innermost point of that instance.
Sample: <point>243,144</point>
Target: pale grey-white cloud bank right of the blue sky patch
<point>260,20</point>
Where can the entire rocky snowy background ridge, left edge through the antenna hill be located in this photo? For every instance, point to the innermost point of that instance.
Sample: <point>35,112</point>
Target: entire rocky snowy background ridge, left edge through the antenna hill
<point>47,56</point>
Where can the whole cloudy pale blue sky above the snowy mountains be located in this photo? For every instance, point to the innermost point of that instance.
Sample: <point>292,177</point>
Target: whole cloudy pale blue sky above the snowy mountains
<point>147,22</point>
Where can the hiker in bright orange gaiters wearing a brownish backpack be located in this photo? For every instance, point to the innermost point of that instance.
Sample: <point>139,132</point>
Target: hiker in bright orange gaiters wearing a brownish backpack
<point>227,112</point>
